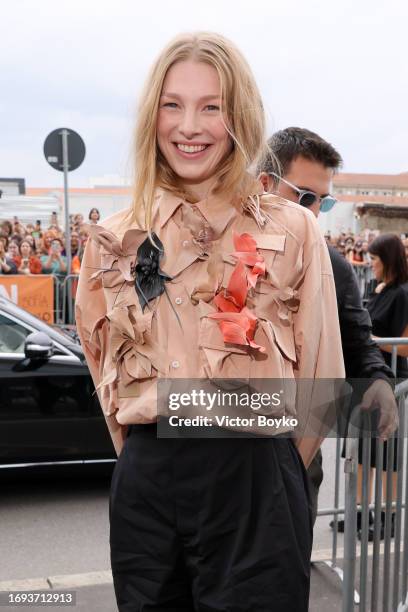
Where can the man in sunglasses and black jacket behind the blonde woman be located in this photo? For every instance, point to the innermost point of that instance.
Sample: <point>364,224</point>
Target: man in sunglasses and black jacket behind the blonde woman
<point>307,166</point>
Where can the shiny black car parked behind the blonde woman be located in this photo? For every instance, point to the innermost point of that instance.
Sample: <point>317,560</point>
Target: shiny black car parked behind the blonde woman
<point>49,412</point>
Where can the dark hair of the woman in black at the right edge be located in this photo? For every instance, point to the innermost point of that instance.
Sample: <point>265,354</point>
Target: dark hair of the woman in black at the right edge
<point>389,248</point>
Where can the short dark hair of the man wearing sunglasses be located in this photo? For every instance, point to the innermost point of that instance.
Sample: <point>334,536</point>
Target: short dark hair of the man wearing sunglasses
<point>286,145</point>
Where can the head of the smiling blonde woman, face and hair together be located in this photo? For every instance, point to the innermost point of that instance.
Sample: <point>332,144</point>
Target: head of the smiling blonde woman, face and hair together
<point>231,101</point>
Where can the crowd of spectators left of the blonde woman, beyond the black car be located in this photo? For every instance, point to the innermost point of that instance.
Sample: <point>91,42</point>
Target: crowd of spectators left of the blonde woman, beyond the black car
<point>33,249</point>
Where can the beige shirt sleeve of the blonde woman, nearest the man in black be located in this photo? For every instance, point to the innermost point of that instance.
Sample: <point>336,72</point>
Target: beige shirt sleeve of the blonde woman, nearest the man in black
<point>318,347</point>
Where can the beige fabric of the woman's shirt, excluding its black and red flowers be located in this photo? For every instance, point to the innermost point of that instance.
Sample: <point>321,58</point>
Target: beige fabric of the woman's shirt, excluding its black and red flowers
<point>127,350</point>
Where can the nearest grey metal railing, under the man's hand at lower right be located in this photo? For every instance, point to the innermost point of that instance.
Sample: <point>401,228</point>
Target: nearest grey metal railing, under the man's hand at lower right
<point>393,595</point>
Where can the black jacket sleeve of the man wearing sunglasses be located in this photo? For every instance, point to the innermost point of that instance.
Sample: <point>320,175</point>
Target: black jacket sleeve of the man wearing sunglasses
<point>362,357</point>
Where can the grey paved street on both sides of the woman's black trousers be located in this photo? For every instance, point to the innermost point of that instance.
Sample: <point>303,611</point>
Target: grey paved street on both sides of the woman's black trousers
<point>57,529</point>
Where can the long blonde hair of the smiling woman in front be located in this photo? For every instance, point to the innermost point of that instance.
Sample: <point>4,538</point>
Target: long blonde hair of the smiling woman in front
<point>241,103</point>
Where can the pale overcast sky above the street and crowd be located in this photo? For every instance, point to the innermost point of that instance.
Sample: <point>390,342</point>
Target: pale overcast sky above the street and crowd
<point>338,68</point>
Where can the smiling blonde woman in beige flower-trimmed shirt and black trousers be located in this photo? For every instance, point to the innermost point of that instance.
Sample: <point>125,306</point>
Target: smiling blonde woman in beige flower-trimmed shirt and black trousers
<point>203,277</point>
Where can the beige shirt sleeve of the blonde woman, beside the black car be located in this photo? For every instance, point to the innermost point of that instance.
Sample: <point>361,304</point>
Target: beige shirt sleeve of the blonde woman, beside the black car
<point>90,308</point>
